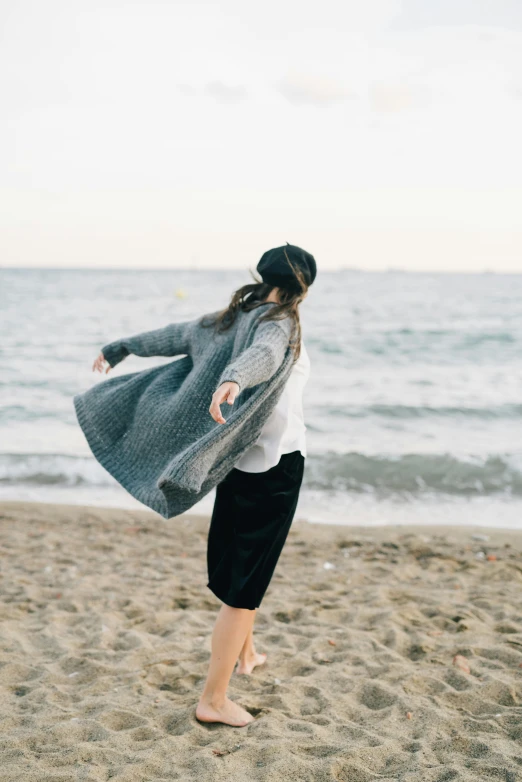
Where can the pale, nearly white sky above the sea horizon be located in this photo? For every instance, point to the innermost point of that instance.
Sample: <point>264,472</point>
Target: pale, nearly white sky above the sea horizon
<point>374,133</point>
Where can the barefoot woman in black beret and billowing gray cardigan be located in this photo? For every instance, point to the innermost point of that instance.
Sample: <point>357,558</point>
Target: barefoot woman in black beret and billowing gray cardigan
<point>255,459</point>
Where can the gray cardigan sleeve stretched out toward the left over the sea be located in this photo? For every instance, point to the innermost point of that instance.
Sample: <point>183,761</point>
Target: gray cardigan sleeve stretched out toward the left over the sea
<point>171,340</point>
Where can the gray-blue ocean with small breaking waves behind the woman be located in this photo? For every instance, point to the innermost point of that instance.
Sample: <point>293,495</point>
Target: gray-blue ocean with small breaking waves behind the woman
<point>413,407</point>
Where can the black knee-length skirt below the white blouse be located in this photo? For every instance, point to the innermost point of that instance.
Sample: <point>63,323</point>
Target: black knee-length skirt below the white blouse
<point>252,514</point>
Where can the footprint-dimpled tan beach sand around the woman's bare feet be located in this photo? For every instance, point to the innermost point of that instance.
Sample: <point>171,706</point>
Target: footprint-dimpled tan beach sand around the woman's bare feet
<point>105,637</point>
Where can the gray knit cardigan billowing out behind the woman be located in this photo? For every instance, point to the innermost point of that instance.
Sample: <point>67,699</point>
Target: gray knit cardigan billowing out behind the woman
<point>152,430</point>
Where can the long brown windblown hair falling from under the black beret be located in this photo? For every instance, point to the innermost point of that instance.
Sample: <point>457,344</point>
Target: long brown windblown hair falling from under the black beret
<point>252,295</point>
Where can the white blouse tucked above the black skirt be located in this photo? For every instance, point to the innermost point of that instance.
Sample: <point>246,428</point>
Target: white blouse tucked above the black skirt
<point>284,431</point>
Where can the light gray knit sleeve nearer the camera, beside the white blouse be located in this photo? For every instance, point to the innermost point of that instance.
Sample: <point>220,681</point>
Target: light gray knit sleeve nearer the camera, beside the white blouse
<point>262,359</point>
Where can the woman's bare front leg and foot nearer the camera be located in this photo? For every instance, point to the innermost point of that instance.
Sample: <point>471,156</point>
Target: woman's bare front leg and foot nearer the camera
<point>228,638</point>
